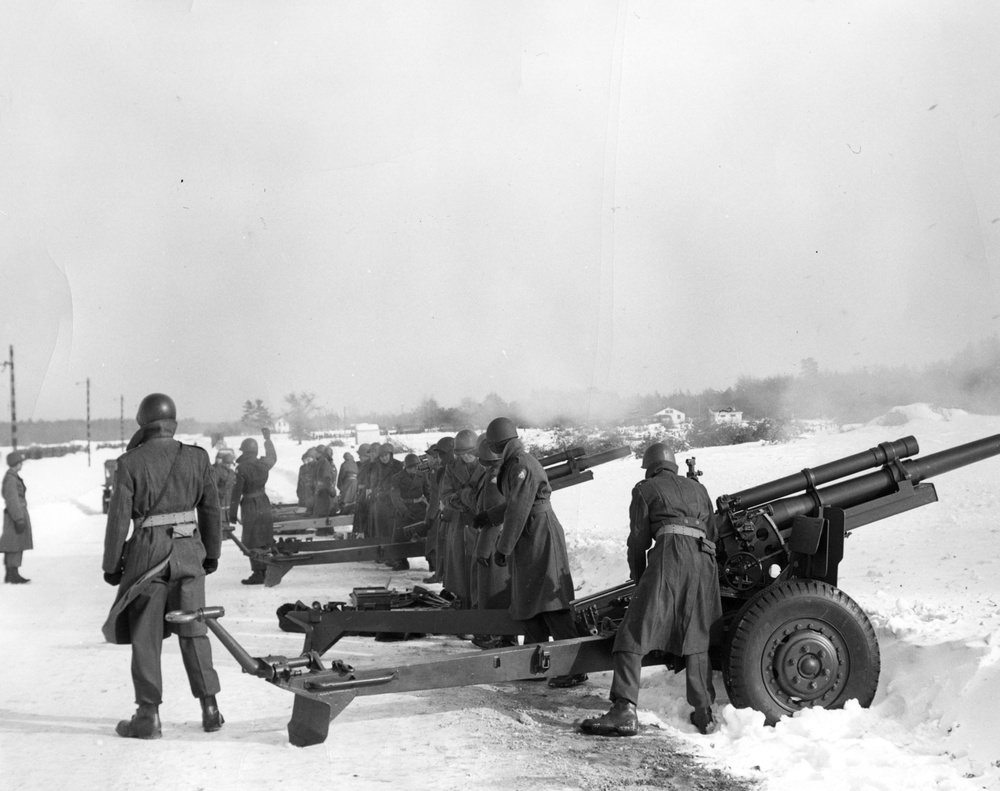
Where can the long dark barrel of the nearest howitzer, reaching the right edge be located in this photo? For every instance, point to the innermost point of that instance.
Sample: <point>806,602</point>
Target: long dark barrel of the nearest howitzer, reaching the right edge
<point>869,487</point>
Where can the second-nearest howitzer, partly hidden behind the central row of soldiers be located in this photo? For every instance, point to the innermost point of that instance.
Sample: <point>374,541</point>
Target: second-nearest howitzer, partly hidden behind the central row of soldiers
<point>564,469</point>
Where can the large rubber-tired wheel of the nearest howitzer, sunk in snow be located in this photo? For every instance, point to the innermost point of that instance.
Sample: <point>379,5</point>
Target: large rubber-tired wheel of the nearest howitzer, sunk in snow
<point>797,645</point>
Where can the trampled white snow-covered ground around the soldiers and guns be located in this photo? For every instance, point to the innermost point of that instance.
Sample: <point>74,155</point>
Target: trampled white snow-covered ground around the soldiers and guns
<point>929,579</point>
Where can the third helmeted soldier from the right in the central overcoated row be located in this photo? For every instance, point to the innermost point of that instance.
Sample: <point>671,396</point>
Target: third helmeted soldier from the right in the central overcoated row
<point>458,506</point>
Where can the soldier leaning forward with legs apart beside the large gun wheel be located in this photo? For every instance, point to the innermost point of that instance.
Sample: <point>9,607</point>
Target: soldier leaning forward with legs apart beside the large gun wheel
<point>676,601</point>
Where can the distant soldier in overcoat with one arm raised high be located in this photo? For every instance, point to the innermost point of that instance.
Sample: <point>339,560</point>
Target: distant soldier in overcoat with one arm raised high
<point>252,501</point>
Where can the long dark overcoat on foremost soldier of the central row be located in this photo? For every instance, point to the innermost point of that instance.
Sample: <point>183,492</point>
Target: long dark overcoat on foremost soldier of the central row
<point>532,538</point>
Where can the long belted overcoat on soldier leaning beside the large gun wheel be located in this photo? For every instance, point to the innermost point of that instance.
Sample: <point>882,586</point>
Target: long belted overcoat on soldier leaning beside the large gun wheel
<point>677,601</point>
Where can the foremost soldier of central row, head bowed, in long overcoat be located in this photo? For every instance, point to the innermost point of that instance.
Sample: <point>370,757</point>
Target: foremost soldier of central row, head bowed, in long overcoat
<point>533,540</point>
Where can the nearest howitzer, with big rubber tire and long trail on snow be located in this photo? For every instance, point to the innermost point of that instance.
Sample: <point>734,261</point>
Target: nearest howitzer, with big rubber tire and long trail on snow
<point>790,639</point>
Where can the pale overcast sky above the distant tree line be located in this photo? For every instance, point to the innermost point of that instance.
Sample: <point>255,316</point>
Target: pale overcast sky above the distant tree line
<point>383,201</point>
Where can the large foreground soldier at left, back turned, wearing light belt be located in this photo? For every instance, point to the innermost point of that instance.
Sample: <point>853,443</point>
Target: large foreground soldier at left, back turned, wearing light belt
<point>167,490</point>
